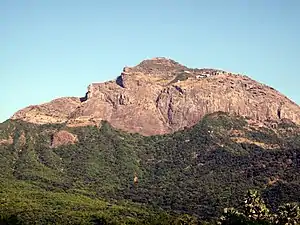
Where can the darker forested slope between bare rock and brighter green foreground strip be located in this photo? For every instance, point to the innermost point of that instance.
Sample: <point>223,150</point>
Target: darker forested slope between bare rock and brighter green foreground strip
<point>197,171</point>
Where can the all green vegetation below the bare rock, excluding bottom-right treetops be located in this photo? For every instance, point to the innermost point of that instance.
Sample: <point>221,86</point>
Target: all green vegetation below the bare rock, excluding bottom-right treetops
<point>191,175</point>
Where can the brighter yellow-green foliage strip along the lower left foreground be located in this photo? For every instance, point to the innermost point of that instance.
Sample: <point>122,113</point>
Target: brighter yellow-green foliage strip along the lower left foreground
<point>27,204</point>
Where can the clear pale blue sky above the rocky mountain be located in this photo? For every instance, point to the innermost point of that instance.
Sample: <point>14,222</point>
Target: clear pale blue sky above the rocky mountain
<point>54,48</point>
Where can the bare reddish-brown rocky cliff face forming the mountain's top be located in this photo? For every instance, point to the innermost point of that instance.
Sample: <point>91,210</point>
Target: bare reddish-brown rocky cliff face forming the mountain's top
<point>161,96</point>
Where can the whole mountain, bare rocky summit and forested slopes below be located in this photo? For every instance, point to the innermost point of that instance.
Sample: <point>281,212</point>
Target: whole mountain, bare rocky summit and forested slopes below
<point>162,144</point>
